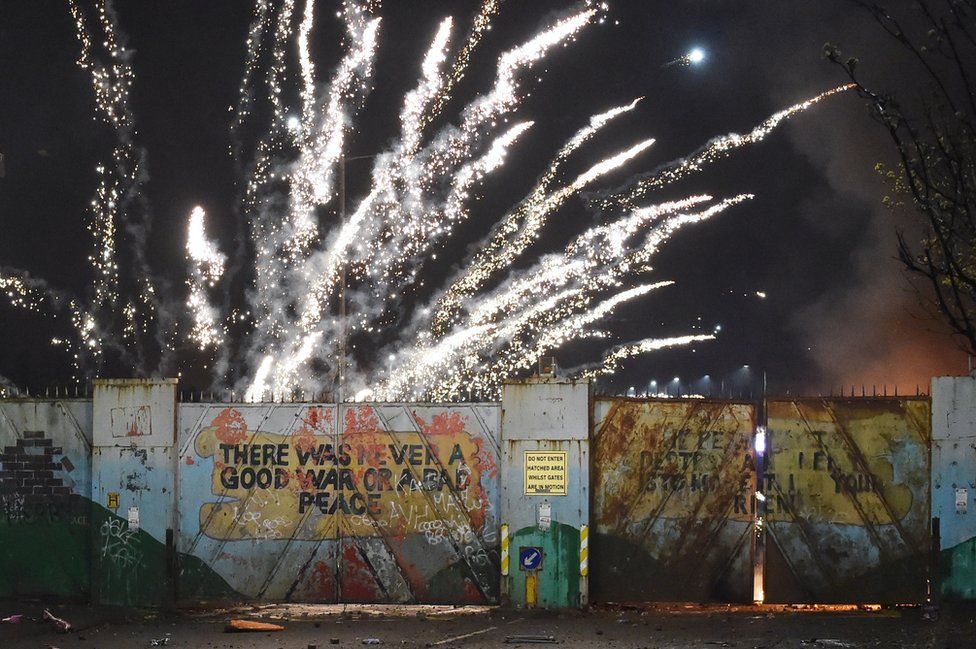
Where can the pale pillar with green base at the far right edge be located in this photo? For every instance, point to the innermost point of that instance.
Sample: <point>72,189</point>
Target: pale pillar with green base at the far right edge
<point>954,483</point>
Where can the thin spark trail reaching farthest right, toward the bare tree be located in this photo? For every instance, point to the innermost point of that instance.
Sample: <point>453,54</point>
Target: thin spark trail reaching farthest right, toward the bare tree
<point>716,149</point>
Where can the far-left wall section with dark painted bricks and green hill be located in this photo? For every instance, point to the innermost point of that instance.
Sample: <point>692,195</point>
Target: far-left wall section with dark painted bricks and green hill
<point>45,479</point>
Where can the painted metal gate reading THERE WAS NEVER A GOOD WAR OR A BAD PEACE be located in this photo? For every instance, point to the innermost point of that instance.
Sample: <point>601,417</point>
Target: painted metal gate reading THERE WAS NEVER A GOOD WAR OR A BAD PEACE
<point>350,503</point>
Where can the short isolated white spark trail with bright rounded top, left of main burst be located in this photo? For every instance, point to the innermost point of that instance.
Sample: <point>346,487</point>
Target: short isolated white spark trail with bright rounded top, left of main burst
<point>206,268</point>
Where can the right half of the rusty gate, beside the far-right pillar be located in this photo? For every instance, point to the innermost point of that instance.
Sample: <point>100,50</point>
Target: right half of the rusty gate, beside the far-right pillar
<point>847,495</point>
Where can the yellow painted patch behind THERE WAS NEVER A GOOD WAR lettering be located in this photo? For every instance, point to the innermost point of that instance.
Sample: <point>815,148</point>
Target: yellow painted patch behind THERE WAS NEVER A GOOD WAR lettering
<point>297,485</point>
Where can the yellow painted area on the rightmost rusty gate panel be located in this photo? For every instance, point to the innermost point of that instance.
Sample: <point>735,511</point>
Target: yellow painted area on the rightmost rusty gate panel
<point>835,462</point>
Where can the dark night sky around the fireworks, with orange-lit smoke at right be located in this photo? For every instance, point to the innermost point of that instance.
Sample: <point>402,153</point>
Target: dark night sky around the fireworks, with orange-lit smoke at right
<point>816,240</point>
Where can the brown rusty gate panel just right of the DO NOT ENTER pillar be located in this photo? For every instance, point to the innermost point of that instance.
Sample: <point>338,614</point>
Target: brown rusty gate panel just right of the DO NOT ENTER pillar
<point>672,500</point>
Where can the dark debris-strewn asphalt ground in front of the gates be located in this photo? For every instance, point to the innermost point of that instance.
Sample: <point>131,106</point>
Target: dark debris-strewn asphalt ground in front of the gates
<point>637,627</point>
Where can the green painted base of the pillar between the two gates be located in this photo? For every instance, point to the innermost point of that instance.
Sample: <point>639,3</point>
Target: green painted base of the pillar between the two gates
<point>558,579</point>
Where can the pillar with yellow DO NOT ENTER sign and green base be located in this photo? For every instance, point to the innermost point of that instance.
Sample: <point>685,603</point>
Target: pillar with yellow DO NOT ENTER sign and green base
<point>540,417</point>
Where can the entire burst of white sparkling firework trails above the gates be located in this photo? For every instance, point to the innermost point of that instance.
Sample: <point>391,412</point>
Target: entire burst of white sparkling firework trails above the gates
<point>322,276</point>
